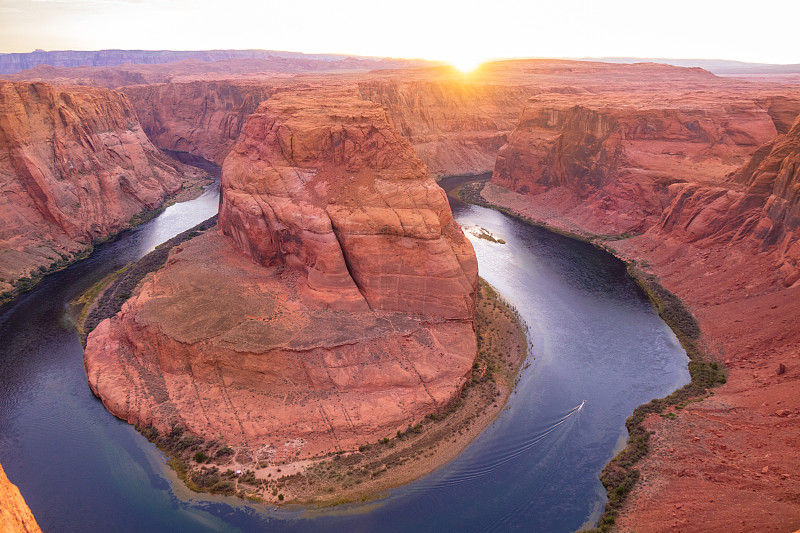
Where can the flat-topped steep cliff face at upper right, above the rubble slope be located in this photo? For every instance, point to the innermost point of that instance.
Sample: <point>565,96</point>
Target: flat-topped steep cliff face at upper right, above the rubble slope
<point>608,166</point>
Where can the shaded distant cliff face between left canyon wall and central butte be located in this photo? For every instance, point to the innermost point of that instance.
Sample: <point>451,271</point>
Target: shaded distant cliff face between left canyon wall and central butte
<point>204,118</point>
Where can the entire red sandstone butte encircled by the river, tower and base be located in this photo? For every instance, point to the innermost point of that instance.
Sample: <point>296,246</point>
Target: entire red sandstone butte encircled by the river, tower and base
<point>334,306</point>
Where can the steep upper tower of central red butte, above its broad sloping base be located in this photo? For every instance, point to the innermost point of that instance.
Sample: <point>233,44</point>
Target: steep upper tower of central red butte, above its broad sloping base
<point>372,200</point>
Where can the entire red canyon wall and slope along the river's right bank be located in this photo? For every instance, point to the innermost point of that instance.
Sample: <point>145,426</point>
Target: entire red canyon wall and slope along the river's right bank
<point>705,197</point>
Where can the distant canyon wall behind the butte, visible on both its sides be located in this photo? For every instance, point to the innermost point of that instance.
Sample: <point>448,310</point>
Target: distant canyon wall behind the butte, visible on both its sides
<point>454,127</point>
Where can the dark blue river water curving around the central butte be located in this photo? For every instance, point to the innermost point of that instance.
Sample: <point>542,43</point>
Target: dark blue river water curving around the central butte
<point>595,338</point>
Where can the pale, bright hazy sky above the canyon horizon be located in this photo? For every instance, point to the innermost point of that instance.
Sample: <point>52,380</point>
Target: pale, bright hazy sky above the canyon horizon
<point>463,30</point>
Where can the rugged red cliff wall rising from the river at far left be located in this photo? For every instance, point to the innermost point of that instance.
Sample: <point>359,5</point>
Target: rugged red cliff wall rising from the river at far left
<point>75,166</point>
